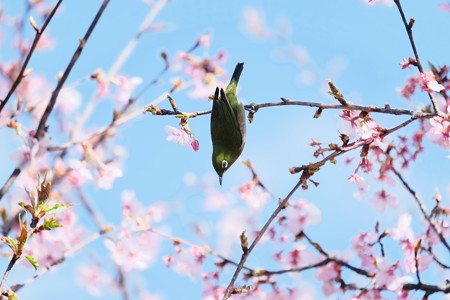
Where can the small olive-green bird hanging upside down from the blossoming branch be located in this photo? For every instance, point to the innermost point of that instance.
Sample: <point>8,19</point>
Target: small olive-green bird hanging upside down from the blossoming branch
<point>227,125</point>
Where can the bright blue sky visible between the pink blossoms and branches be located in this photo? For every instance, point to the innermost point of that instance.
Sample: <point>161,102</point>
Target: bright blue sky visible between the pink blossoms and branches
<point>358,47</point>
